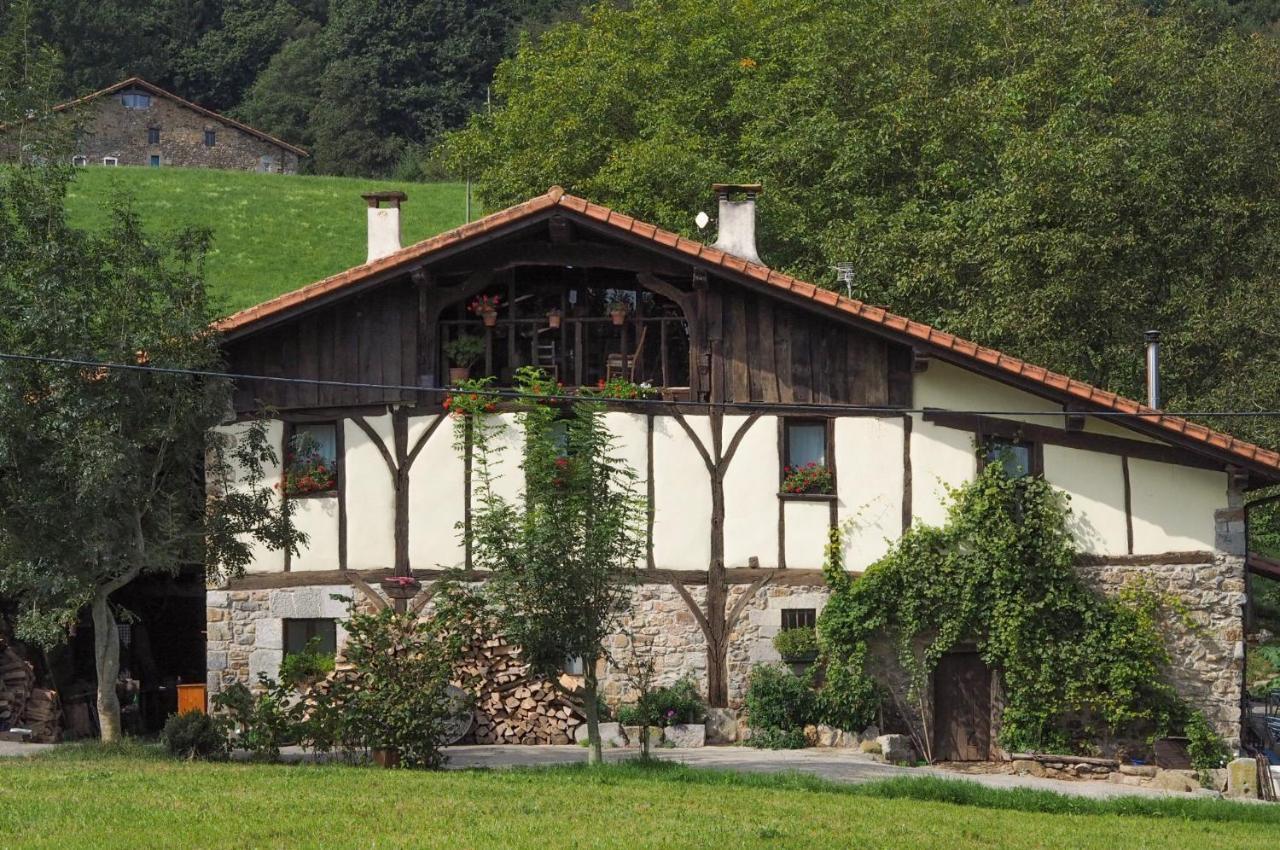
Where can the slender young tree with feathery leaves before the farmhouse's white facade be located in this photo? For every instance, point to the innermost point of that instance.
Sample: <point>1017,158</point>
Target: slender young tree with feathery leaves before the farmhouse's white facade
<point>564,556</point>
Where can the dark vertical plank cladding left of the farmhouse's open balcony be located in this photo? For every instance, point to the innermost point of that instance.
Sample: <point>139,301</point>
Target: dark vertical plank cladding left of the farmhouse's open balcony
<point>372,340</point>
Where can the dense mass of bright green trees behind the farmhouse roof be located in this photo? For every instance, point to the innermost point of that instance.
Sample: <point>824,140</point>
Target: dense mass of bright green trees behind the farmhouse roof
<point>1049,179</point>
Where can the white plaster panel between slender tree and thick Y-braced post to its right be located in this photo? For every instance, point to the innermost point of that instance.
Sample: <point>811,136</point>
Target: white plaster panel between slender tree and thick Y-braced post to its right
<point>683,496</point>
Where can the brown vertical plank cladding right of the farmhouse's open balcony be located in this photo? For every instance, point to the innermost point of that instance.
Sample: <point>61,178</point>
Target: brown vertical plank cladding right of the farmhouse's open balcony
<point>775,353</point>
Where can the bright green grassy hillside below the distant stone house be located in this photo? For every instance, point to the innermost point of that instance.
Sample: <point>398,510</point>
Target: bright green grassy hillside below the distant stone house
<point>272,232</point>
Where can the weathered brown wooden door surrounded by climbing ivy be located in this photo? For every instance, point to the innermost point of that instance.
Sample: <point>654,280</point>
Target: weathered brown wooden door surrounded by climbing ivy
<point>962,710</point>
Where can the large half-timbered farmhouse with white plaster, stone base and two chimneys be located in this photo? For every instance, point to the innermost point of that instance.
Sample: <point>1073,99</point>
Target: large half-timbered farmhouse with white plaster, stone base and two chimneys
<point>755,372</point>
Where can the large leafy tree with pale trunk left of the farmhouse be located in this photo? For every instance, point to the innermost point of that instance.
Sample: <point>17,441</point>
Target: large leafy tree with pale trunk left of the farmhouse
<point>103,470</point>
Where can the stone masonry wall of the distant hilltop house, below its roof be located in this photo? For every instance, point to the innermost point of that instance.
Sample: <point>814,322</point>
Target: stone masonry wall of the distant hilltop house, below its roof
<point>111,130</point>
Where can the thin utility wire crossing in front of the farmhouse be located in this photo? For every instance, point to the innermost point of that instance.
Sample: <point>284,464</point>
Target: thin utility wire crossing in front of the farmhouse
<point>513,394</point>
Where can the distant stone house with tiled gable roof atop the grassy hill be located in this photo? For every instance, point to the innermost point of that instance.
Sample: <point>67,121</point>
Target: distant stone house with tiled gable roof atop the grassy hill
<point>139,124</point>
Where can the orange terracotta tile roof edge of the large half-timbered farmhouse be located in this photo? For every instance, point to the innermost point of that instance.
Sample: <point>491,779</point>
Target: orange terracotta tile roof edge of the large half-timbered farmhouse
<point>911,332</point>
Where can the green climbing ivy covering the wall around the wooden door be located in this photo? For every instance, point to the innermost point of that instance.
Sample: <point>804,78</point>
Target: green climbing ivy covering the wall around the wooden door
<point>1077,669</point>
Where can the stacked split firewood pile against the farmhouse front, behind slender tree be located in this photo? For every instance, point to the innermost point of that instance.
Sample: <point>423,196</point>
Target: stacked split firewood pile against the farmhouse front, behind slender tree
<point>514,706</point>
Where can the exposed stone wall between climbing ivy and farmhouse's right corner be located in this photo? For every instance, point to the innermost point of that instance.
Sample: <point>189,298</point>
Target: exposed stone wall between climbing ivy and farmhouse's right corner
<point>1206,671</point>
